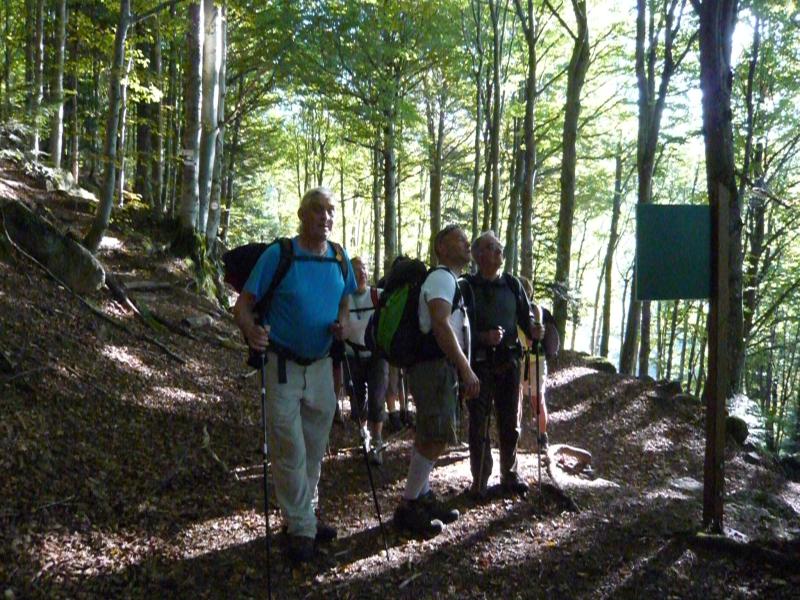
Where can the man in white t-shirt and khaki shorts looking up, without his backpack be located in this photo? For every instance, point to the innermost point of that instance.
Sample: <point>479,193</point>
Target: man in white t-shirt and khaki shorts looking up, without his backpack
<point>434,382</point>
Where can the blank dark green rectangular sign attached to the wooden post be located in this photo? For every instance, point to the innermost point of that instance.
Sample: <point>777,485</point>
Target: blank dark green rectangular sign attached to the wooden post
<point>673,252</point>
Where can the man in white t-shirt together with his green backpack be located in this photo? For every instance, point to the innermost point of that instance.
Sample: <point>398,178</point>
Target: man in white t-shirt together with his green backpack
<point>429,338</point>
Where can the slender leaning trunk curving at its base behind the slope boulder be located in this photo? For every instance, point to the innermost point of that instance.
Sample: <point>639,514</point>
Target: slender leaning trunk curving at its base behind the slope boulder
<point>103,215</point>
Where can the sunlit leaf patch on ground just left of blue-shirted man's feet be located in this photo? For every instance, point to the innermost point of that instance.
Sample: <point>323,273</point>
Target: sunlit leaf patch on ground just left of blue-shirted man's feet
<point>220,533</point>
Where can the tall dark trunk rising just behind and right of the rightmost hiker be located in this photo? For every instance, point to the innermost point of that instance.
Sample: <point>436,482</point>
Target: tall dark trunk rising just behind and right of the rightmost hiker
<point>578,65</point>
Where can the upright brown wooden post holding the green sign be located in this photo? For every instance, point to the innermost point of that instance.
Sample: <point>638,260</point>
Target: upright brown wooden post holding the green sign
<point>716,384</point>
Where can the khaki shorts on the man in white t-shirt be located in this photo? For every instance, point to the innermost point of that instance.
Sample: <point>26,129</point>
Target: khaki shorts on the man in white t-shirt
<point>434,385</point>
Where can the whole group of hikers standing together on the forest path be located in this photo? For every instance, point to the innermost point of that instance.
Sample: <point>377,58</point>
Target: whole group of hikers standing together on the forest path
<point>475,330</point>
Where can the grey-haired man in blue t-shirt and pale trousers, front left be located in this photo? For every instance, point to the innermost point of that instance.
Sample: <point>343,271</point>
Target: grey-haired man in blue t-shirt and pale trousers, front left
<point>308,309</point>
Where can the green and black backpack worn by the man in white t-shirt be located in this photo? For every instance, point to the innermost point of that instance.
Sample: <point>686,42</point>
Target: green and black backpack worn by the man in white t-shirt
<point>393,330</point>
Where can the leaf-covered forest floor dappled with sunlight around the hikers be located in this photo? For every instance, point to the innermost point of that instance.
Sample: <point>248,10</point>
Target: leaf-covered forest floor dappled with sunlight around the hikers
<point>127,471</point>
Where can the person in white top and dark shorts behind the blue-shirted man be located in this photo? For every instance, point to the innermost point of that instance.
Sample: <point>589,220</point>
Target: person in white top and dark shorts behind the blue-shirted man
<point>367,374</point>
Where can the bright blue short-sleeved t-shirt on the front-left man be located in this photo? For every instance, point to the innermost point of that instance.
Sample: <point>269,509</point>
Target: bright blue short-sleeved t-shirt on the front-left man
<point>306,302</point>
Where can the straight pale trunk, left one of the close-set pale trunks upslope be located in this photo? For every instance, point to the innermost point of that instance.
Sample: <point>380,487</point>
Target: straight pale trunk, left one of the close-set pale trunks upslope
<point>193,76</point>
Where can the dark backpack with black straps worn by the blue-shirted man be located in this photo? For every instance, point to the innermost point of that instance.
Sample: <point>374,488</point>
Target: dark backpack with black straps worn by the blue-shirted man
<point>240,261</point>
